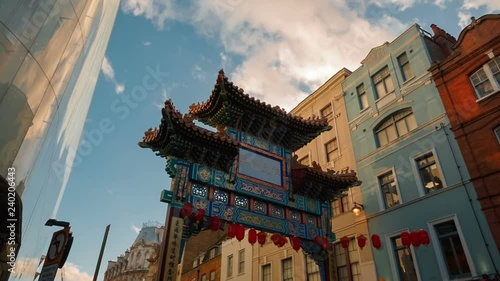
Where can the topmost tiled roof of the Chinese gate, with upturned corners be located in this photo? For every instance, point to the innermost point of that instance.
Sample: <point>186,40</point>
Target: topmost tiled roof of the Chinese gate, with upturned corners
<point>229,106</point>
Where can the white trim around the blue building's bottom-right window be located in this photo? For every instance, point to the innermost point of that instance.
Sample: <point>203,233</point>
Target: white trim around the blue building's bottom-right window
<point>439,252</point>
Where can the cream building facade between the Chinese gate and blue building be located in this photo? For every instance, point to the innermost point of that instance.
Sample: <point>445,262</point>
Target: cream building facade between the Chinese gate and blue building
<point>333,150</point>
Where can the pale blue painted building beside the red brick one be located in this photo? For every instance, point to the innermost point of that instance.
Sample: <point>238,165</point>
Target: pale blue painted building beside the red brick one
<point>414,177</point>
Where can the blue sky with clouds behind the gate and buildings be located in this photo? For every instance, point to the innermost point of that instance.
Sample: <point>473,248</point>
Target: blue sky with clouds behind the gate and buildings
<point>278,51</point>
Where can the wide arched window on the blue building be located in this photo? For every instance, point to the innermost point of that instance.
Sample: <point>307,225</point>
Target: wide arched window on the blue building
<point>395,126</point>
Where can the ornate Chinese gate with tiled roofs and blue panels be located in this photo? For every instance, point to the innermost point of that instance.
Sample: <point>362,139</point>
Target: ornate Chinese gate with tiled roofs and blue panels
<point>243,175</point>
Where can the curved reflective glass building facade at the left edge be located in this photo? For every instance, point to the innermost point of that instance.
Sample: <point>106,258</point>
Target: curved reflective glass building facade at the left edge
<point>51,53</point>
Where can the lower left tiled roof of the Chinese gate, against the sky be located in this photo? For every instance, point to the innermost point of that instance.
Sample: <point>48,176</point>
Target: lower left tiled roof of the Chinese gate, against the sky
<point>179,137</point>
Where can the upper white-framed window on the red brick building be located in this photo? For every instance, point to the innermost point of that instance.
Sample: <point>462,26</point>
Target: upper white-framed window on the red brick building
<point>486,80</point>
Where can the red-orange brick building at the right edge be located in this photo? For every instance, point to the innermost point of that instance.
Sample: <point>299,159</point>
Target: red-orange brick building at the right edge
<point>468,81</point>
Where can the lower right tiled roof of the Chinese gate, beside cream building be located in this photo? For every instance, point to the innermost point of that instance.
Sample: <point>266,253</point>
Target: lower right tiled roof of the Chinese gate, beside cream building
<point>315,183</point>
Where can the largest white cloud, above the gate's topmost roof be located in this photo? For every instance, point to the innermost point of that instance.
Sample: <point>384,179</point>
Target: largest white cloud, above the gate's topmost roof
<point>300,49</point>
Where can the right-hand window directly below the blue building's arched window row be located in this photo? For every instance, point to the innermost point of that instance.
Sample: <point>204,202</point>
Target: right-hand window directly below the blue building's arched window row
<point>429,172</point>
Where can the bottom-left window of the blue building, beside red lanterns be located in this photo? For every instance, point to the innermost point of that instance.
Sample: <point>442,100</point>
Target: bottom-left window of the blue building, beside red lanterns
<point>404,260</point>
